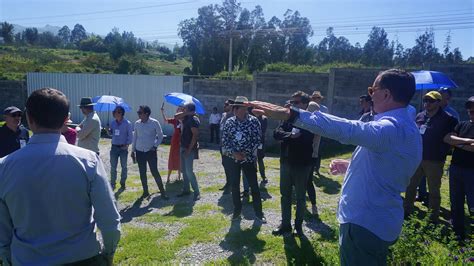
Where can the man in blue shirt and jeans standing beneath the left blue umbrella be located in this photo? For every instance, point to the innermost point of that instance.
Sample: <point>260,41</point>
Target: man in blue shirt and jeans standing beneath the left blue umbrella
<point>122,135</point>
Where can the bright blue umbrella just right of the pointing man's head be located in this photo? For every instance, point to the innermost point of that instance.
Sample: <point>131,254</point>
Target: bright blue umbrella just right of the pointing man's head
<point>431,80</point>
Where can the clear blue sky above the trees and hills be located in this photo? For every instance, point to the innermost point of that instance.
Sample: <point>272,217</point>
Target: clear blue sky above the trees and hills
<point>158,20</point>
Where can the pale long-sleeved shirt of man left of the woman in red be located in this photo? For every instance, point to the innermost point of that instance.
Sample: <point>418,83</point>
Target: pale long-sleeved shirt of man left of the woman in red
<point>146,135</point>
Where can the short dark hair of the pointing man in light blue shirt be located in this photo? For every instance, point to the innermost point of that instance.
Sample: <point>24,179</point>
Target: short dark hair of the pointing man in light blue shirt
<point>400,83</point>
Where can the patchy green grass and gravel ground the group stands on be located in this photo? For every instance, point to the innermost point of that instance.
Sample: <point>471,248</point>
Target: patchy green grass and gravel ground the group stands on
<point>180,231</point>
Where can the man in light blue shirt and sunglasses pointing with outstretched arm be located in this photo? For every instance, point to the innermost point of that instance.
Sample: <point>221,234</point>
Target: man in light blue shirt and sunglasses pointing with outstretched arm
<point>388,153</point>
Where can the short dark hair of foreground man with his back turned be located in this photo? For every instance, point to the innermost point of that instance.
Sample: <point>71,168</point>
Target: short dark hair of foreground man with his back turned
<point>48,108</point>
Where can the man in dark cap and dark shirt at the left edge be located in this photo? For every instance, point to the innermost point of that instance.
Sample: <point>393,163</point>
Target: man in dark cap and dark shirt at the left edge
<point>13,135</point>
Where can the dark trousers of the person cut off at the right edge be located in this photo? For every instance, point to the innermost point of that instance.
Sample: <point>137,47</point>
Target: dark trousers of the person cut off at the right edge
<point>461,187</point>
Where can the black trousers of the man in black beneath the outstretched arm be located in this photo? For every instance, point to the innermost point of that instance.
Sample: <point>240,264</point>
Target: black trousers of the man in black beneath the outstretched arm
<point>297,176</point>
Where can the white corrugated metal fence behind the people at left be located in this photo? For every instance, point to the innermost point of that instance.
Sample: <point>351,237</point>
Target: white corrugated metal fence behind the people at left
<point>136,90</point>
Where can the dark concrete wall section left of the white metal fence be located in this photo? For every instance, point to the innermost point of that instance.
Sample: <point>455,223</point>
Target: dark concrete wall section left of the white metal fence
<point>12,93</point>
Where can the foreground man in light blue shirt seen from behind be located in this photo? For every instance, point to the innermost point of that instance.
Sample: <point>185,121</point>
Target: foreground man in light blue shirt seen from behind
<point>49,210</point>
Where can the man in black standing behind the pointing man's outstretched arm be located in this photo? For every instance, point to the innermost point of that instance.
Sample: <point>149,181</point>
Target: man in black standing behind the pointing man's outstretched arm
<point>295,167</point>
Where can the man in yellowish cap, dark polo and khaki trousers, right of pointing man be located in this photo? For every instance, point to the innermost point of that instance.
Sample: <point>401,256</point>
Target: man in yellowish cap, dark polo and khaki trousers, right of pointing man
<point>433,124</point>
